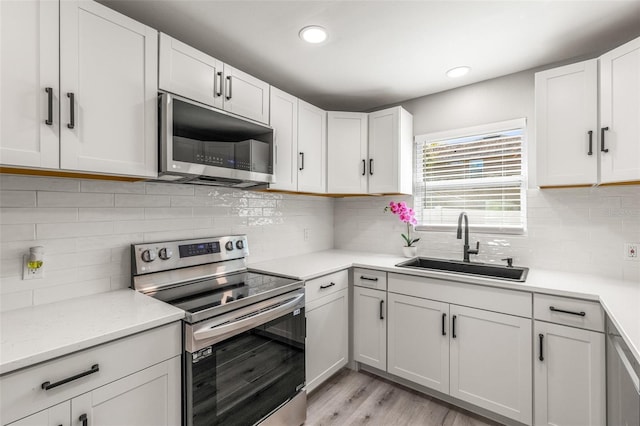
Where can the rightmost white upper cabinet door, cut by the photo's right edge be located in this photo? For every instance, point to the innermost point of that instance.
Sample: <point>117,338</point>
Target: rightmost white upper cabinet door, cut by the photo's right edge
<point>620,112</point>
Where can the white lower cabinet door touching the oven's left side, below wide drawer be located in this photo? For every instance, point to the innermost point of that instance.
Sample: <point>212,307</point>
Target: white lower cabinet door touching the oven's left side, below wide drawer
<point>150,397</point>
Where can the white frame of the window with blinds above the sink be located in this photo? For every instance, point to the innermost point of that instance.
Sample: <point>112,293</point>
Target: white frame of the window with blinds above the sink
<point>419,187</point>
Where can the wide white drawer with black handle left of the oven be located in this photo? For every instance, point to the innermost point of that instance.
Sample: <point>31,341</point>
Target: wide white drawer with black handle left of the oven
<point>22,392</point>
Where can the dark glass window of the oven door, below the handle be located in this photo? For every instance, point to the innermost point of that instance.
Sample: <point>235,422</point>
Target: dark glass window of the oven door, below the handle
<point>243,379</point>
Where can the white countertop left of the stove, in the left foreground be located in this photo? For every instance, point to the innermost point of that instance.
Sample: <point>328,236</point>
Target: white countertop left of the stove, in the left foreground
<point>39,333</point>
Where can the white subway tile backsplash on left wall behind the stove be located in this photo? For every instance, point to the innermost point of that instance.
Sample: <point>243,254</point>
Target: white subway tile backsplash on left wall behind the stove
<point>87,227</point>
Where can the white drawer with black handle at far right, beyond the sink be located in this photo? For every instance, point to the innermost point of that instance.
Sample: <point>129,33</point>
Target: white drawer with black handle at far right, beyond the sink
<point>567,311</point>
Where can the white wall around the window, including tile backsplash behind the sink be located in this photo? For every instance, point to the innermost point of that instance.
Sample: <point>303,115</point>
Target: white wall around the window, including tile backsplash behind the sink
<point>581,229</point>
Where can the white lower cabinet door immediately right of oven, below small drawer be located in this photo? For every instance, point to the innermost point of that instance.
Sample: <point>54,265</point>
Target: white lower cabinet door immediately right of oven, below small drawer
<point>327,337</point>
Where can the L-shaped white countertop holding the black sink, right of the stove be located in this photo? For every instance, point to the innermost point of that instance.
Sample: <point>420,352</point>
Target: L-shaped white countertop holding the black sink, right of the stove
<point>620,299</point>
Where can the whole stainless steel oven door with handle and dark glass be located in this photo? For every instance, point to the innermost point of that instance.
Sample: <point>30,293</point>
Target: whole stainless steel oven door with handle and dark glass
<point>257,367</point>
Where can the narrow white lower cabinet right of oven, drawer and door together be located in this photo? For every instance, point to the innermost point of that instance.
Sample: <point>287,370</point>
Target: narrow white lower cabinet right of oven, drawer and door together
<point>327,312</point>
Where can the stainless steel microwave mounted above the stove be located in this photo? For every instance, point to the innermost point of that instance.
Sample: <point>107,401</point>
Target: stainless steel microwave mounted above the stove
<point>203,145</point>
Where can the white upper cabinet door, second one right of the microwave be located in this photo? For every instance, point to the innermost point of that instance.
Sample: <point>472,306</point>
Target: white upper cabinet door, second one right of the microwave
<point>312,148</point>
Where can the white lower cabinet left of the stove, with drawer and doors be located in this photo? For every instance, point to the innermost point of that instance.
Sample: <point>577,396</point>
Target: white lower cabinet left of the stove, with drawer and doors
<point>133,381</point>
